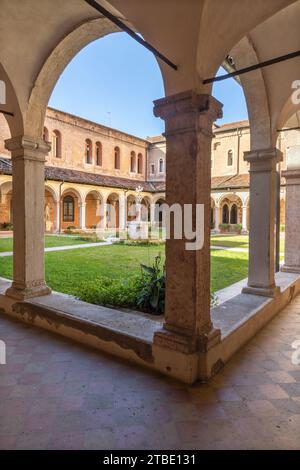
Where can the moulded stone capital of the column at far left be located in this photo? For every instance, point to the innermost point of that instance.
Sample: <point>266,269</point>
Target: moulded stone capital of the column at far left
<point>27,147</point>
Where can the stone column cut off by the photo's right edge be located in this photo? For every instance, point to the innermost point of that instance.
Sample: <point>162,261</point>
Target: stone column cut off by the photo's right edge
<point>292,221</point>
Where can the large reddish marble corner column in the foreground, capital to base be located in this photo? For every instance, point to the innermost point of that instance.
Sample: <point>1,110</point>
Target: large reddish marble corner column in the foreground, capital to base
<point>188,117</point>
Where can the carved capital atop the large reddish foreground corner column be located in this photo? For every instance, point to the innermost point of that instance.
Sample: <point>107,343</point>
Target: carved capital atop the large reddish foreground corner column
<point>183,111</point>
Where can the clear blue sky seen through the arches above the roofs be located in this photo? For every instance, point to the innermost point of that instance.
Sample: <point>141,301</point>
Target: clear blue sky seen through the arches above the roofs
<point>114,81</point>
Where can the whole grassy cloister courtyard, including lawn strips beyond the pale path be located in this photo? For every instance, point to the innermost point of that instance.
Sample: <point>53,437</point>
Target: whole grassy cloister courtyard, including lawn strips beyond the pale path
<point>67,271</point>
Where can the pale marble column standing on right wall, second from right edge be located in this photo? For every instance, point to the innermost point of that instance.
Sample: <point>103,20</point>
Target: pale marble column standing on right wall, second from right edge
<point>261,271</point>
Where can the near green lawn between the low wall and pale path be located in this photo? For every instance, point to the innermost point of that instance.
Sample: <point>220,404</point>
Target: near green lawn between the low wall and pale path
<point>66,270</point>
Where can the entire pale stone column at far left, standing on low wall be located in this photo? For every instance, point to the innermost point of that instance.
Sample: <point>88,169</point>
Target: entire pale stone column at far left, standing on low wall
<point>28,162</point>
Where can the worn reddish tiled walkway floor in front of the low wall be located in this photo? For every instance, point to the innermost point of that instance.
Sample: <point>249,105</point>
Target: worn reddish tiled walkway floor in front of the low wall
<point>55,394</point>
